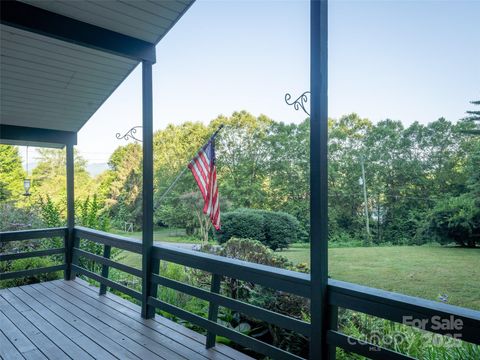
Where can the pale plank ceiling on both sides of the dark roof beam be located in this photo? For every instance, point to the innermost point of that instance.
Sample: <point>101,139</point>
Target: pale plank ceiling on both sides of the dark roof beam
<point>51,84</point>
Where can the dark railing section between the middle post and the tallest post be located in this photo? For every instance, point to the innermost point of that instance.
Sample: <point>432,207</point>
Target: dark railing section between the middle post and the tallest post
<point>268,276</point>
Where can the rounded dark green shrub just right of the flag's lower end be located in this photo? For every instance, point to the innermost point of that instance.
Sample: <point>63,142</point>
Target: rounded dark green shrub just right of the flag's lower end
<point>273,229</point>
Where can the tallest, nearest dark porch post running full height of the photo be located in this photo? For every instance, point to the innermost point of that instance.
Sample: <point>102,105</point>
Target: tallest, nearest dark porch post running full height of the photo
<point>318,177</point>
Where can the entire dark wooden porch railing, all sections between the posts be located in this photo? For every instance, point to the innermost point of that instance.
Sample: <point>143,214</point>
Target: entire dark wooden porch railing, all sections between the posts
<point>374,302</point>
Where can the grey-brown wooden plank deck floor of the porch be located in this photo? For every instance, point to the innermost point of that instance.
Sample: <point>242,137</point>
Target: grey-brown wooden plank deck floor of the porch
<point>68,319</point>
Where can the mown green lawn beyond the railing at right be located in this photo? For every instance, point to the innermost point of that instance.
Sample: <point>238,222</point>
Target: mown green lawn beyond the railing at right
<point>423,271</point>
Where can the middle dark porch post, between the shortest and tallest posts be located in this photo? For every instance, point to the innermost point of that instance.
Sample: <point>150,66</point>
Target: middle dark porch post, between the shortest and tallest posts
<point>147,190</point>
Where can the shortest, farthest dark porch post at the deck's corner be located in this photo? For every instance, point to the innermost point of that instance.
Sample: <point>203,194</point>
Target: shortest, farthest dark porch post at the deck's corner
<point>70,163</point>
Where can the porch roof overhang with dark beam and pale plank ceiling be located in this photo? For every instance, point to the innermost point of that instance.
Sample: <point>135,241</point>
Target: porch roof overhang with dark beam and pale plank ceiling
<point>60,60</point>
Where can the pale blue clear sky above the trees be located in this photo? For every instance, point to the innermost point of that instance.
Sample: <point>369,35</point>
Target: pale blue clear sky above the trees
<point>404,60</point>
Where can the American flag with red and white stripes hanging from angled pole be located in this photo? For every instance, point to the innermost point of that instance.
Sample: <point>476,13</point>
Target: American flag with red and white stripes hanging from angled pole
<point>205,173</point>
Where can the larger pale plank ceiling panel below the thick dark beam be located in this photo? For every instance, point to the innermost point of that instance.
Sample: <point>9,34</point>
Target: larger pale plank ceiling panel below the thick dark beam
<point>53,84</point>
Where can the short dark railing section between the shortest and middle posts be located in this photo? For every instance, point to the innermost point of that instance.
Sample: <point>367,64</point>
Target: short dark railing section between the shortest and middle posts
<point>108,241</point>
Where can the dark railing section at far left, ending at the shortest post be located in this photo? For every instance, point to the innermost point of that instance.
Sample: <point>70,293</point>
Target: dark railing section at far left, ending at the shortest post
<point>22,235</point>
